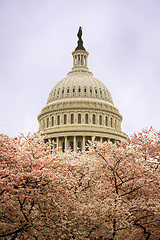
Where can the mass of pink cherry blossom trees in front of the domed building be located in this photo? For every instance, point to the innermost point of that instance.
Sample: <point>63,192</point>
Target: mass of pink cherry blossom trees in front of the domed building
<point>108,192</point>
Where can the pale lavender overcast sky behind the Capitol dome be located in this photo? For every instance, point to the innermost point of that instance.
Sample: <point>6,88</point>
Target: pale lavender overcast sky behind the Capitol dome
<point>38,37</point>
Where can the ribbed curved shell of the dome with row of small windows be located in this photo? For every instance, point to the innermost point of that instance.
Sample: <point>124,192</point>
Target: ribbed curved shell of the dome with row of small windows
<point>80,85</point>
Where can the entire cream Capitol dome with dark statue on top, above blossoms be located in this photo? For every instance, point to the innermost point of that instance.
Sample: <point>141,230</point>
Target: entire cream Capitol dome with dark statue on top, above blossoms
<point>80,107</point>
